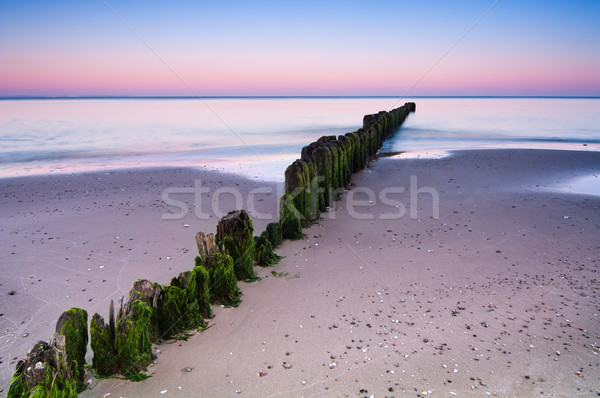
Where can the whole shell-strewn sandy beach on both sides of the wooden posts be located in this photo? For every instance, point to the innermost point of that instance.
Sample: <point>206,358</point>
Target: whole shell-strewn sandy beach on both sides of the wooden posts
<point>498,294</point>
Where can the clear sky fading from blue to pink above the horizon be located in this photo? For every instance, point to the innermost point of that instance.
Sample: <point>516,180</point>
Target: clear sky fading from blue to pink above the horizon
<point>404,48</point>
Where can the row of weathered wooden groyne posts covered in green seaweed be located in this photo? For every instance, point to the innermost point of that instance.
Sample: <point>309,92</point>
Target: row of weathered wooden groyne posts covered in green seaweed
<point>153,312</point>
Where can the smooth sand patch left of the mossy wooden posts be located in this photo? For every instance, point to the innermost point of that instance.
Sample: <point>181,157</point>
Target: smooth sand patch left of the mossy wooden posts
<point>81,240</point>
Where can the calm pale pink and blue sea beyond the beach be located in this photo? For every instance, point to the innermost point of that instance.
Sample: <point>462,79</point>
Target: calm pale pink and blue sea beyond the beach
<point>259,137</point>
